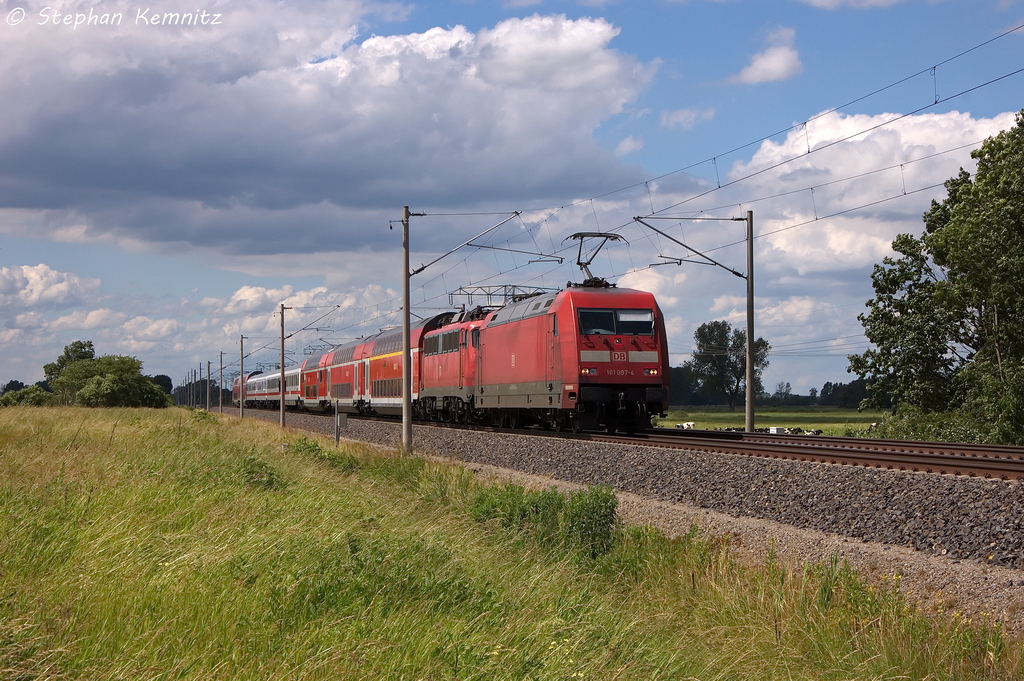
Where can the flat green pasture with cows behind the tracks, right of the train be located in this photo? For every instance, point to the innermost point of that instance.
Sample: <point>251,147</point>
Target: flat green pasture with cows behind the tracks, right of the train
<point>829,419</point>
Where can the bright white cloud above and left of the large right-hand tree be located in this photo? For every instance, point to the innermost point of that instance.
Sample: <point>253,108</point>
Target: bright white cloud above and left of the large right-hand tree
<point>820,186</point>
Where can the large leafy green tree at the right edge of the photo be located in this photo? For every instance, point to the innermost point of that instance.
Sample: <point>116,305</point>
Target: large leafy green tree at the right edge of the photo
<point>948,318</point>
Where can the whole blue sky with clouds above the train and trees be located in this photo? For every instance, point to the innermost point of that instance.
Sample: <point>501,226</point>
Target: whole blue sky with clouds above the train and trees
<point>165,187</point>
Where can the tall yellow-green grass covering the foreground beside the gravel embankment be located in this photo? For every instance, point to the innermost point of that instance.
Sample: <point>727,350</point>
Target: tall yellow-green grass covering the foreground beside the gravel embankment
<point>172,544</point>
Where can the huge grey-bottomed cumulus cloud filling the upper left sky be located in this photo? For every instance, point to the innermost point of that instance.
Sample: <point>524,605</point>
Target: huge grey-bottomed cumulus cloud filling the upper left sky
<point>279,132</point>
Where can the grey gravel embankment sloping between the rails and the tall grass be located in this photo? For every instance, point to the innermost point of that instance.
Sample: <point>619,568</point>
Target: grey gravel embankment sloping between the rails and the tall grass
<point>953,540</point>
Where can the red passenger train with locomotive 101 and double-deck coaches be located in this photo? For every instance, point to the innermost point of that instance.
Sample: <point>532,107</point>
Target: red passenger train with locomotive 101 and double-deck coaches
<point>590,357</point>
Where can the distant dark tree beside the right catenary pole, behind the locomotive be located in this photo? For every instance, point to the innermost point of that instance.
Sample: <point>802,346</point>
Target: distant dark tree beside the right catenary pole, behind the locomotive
<point>719,364</point>
